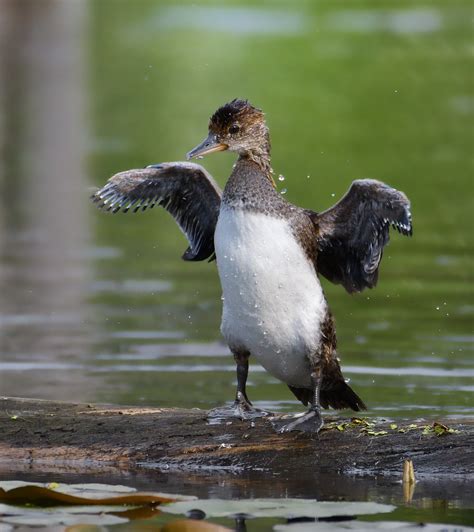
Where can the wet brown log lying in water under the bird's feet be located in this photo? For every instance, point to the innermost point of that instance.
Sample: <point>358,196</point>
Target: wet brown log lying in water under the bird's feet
<point>35,434</point>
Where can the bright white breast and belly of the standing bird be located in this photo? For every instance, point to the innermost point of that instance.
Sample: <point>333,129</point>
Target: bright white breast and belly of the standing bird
<point>273,301</point>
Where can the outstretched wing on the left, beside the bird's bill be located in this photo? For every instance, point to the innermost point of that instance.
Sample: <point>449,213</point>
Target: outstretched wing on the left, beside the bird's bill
<point>185,190</point>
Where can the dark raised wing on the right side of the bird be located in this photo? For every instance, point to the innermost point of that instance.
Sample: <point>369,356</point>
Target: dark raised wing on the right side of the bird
<point>353,233</point>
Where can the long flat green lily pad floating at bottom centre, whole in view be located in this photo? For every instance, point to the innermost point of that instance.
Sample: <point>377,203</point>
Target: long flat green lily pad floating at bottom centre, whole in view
<point>286,508</point>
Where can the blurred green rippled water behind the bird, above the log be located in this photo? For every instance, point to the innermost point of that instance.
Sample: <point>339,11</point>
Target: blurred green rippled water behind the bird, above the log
<point>100,308</point>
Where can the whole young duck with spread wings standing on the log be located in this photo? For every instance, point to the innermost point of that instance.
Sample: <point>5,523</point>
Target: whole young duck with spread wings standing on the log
<point>269,253</point>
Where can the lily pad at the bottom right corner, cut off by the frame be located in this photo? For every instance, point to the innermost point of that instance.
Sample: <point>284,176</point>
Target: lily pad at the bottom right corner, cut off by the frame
<point>396,526</point>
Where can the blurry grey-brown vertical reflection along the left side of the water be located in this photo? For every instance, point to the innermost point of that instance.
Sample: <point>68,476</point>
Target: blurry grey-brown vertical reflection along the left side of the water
<point>44,221</point>
